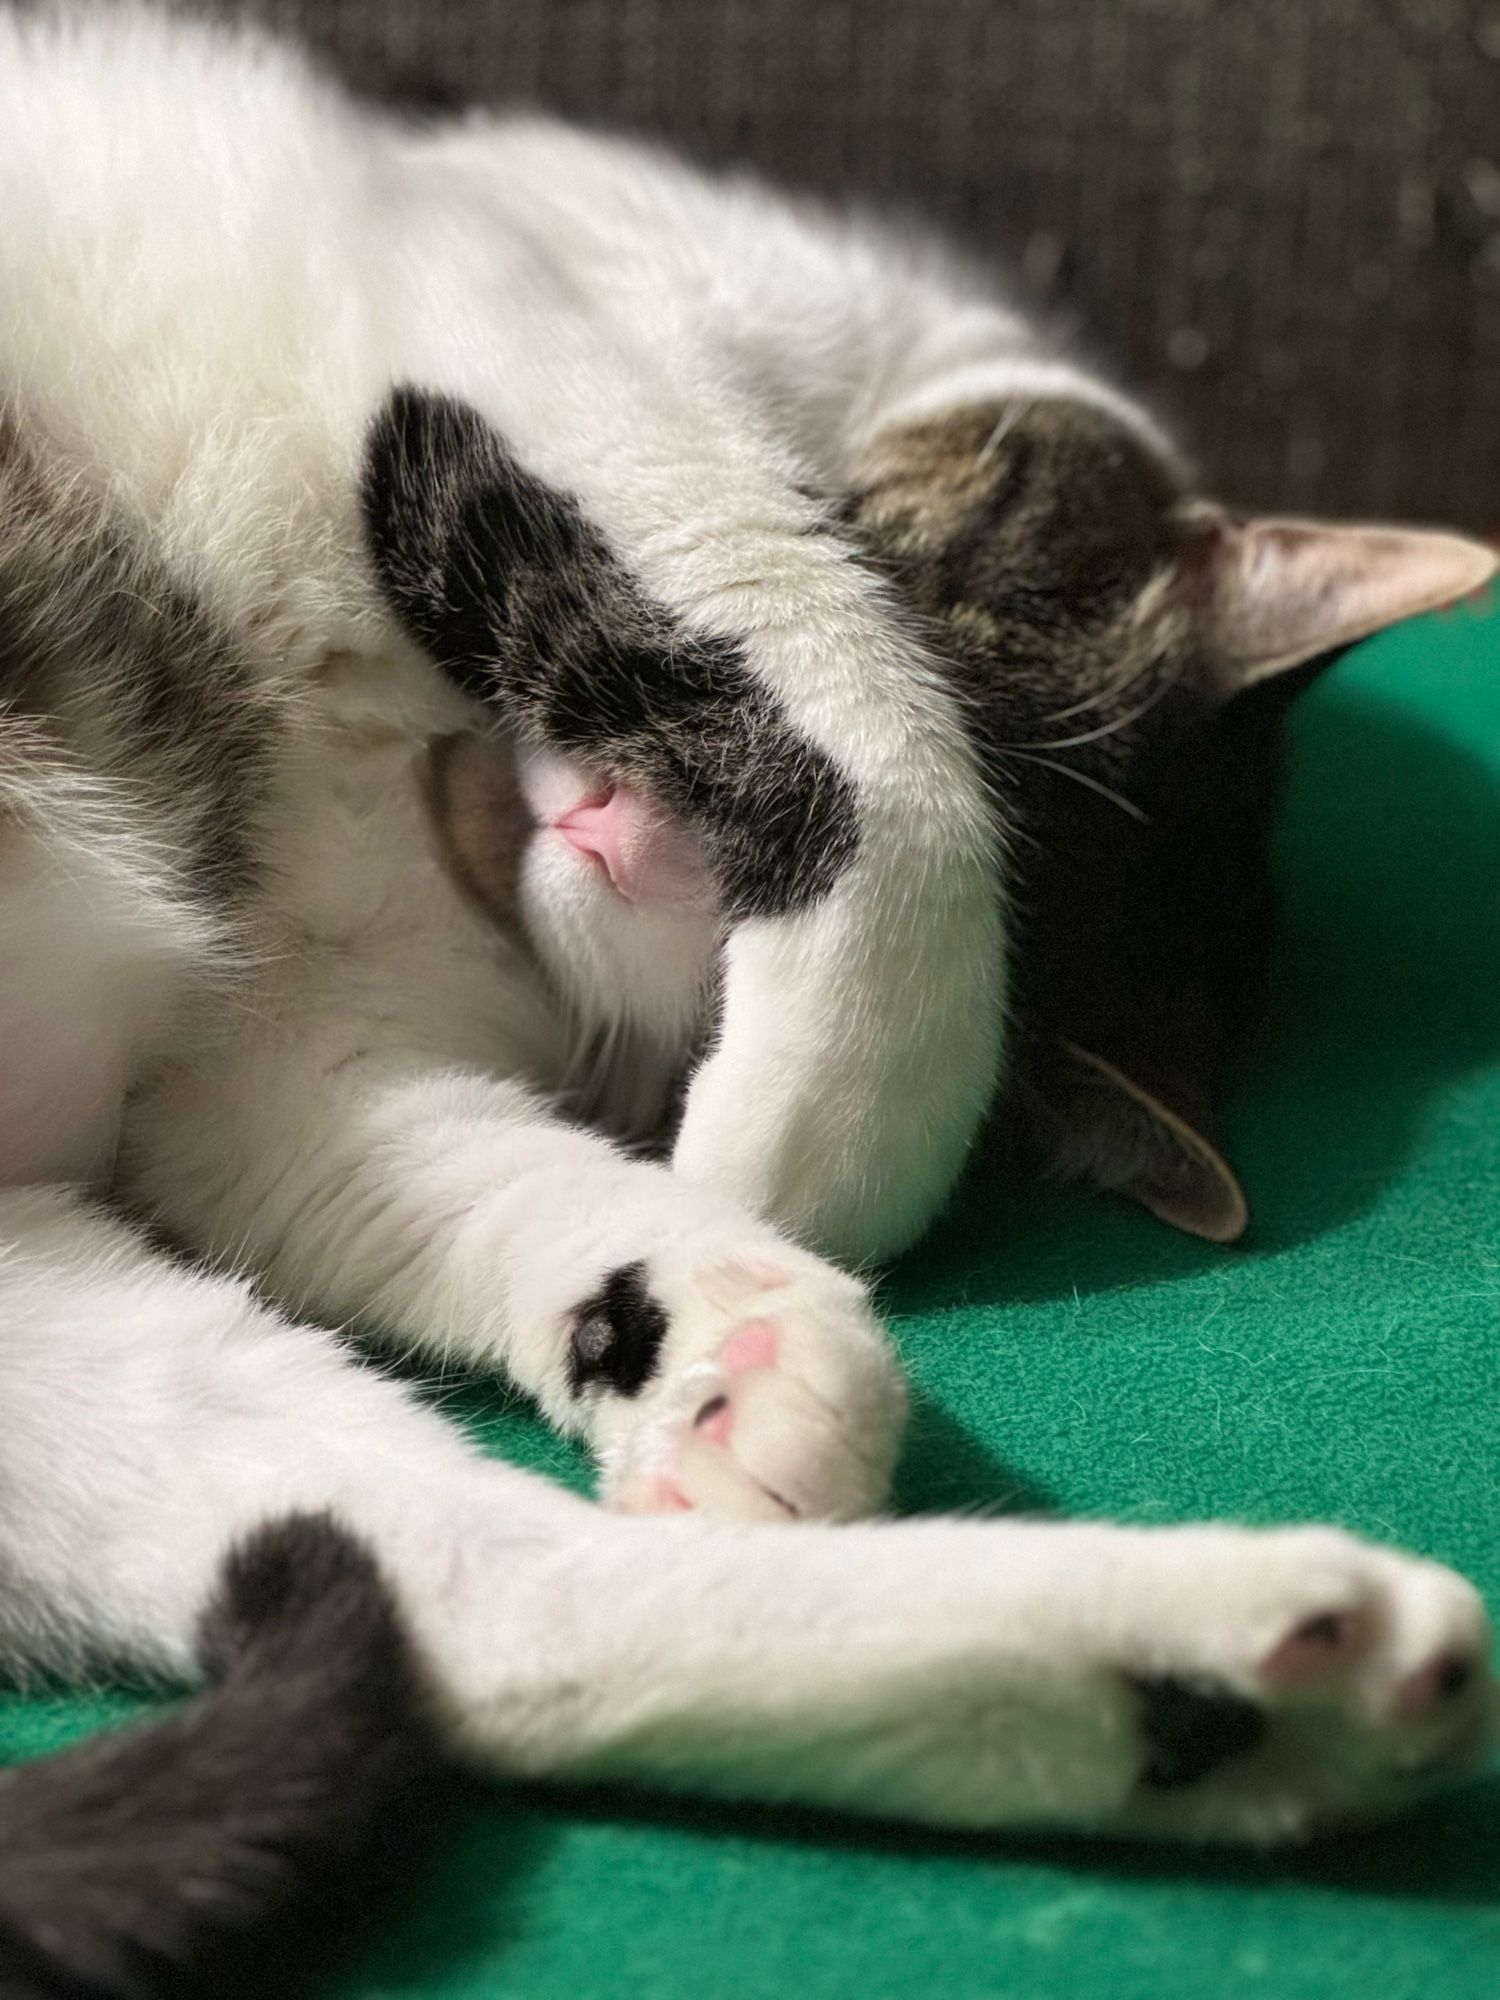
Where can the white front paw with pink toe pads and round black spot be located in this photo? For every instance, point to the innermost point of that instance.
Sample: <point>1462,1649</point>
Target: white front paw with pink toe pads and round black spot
<point>741,1381</point>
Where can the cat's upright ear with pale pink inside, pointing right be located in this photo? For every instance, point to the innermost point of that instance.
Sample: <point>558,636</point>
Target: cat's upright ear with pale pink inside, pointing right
<point>1273,593</point>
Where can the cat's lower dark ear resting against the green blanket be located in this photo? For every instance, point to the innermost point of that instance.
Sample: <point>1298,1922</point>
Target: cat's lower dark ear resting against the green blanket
<point>1085,1119</point>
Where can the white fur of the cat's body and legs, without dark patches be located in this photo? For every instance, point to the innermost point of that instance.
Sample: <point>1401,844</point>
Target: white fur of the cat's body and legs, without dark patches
<point>213,271</point>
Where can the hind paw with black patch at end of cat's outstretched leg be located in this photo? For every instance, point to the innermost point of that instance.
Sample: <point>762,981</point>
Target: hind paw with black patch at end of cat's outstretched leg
<point>1305,1679</point>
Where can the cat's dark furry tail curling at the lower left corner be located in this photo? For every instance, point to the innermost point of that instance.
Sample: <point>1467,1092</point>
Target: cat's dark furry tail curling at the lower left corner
<point>165,1861</point>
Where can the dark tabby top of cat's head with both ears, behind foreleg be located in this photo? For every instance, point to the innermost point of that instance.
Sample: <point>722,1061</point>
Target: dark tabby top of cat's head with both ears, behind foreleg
<point>1127,655</point>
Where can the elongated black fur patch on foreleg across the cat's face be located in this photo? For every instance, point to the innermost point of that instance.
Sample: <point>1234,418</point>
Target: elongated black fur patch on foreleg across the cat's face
<point>519,599</point>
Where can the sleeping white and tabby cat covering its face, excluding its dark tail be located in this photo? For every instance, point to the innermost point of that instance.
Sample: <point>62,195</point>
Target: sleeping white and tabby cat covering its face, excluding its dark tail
<point>561,717</point>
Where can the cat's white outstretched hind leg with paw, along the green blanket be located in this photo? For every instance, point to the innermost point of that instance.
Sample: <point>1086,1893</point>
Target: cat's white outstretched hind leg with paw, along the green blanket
<point>1205,1683</point>
